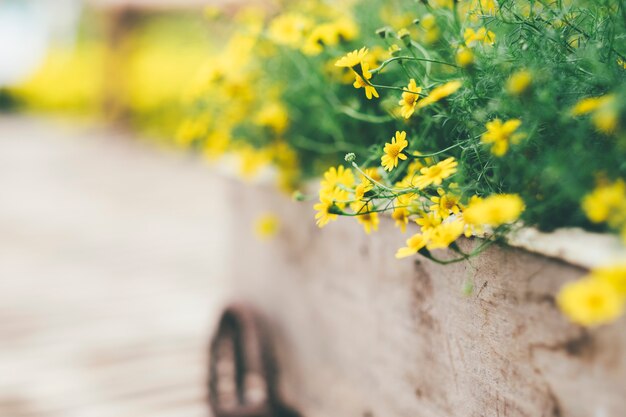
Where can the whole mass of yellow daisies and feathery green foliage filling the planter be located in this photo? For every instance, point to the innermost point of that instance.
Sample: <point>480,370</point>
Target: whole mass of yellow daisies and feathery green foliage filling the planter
<point>460,118</point>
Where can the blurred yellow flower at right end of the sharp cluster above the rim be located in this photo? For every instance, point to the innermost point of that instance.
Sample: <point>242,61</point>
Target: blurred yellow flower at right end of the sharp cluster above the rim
<point>494,210</point>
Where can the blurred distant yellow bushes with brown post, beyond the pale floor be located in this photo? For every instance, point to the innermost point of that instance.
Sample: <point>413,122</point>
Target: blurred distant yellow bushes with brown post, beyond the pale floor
<point>122,61</point>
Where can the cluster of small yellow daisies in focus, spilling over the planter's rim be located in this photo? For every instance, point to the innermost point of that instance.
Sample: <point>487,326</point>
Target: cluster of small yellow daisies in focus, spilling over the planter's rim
<point>424,195</point>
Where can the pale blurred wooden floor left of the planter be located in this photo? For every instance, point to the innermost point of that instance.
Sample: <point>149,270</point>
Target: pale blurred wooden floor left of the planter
<point>109,263</point>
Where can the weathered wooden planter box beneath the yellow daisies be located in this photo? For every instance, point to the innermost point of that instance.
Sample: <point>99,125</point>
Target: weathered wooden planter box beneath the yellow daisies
<point>360,333</point>
